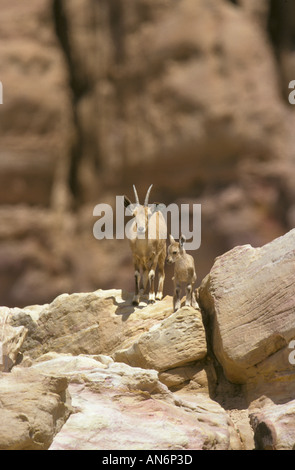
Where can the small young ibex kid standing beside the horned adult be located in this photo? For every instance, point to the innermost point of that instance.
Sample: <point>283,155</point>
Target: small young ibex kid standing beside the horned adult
<point>184,272</point>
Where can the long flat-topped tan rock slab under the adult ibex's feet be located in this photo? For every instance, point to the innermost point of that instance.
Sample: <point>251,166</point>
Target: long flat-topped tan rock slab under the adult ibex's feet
<point>87,323</point>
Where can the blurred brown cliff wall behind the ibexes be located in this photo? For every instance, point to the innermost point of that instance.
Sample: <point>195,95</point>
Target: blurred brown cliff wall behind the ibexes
<point>190,95</point>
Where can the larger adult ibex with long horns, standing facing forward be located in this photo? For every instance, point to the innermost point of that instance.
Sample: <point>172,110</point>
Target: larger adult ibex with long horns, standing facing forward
<point>147,236</point>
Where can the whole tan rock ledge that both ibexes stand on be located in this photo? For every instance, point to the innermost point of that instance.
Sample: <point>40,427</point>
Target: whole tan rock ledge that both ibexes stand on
<point>105,322</point>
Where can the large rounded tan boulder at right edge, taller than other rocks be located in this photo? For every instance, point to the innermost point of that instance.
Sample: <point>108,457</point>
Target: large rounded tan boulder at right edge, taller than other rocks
<point>250,298</point>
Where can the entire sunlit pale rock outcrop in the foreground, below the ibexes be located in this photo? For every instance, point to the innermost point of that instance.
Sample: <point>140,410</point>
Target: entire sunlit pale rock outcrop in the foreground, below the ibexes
<point>217,378</point>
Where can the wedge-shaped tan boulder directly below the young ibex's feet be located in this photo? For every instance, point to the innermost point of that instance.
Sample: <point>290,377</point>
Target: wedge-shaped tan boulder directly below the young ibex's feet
<point>177,340</point>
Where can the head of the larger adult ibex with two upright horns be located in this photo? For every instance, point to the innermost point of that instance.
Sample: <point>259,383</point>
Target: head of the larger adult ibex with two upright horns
<point>140,212</point>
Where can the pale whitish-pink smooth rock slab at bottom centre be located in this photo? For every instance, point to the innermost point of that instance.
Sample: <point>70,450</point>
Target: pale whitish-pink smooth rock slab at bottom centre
<point>122,407</point>
